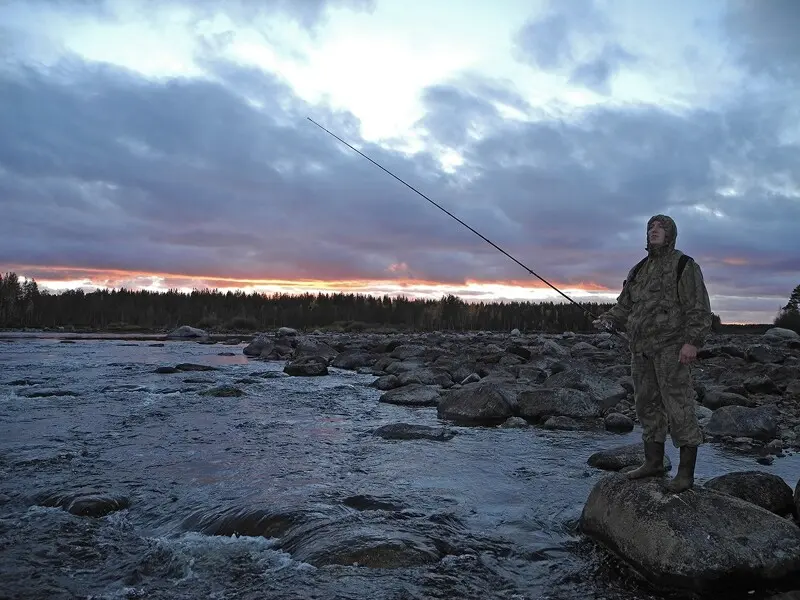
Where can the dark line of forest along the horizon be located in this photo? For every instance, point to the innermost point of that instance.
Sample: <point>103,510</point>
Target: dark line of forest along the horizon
<point>23,305</point>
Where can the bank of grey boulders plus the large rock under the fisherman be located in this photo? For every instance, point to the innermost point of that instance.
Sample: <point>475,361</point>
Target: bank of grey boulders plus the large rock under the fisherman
<point>748,399</point>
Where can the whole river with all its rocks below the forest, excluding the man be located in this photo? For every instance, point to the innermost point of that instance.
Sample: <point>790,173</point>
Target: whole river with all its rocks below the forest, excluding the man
<point>479,465</point>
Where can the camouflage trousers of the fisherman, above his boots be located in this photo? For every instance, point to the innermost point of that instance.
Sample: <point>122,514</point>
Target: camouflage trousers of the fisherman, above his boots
<point>664,395</point>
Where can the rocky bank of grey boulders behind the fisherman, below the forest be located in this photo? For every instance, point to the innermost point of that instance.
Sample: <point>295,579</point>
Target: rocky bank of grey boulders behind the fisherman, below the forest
<point>748,387</point>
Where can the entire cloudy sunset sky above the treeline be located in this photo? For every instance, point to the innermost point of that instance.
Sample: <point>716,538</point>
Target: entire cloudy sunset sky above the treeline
<point>157,145</point>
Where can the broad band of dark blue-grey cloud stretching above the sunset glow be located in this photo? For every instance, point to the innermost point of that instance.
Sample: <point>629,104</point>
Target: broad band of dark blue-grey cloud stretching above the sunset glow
<point>225,177</point>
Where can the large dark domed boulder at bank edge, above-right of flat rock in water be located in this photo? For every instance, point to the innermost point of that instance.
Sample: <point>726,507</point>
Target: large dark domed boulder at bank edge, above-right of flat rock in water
<point>482,403</point>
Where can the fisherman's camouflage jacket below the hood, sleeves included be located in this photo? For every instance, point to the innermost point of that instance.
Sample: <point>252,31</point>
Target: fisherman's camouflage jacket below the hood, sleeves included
<point>657,310</point>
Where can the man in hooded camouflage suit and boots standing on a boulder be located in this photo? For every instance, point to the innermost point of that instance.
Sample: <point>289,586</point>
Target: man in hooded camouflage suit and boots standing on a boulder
<point>667,319</point>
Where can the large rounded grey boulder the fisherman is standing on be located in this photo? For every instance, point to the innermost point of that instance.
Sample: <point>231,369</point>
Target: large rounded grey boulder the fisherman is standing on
<point>700,540</point>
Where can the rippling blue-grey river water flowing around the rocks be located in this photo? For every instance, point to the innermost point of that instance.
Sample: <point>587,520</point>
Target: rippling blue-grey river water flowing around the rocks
<point>491,513</point>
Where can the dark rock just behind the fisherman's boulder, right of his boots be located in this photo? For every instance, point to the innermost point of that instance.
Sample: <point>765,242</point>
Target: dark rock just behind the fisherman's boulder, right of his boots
<point>762,489</point>
